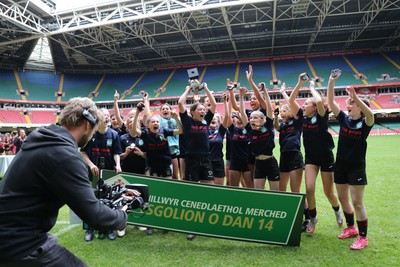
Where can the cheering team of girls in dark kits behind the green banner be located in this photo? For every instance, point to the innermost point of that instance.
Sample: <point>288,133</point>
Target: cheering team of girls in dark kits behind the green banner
<point>250,141</point>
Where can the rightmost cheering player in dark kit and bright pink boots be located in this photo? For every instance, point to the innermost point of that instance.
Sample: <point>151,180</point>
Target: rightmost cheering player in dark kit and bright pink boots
<point>350,170</point>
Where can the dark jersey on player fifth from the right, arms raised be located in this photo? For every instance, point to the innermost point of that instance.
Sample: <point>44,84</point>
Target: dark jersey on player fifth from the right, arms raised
<point>239,143</point>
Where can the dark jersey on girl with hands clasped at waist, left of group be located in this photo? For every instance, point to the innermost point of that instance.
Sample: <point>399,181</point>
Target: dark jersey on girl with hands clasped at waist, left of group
<point>133,163</point>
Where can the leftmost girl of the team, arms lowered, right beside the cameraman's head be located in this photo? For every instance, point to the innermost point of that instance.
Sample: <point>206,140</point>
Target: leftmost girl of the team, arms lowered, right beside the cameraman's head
<point>105,144</point>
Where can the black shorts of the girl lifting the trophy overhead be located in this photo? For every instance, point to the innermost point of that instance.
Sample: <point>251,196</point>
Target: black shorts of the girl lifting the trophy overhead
<point>198,168</point>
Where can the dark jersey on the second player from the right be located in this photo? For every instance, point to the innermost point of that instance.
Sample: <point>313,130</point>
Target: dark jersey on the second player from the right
<point>316,138</point>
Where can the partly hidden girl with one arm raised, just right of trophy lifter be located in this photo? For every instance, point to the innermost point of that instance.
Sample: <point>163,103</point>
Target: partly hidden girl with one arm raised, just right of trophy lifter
<point>217,130</point>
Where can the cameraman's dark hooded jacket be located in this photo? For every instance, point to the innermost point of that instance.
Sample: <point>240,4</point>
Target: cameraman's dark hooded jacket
<point>47,173</point>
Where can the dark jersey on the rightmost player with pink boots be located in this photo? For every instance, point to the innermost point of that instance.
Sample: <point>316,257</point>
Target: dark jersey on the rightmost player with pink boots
<point>352,144</point>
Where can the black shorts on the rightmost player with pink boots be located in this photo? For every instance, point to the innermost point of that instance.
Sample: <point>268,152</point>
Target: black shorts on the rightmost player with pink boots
<point>350,173</point>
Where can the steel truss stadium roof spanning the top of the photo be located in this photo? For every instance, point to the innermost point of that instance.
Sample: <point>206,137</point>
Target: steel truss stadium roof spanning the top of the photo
<point>132,36</point>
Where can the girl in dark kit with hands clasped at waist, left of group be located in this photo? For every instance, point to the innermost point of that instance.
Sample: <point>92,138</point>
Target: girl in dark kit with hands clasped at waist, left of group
<point>134,156</point>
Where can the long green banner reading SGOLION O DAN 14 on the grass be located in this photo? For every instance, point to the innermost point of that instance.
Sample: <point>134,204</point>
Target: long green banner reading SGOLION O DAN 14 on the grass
<point>219,211</point>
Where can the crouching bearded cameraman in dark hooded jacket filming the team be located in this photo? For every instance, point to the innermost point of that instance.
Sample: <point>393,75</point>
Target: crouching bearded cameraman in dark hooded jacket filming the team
<point>47,173</point>
